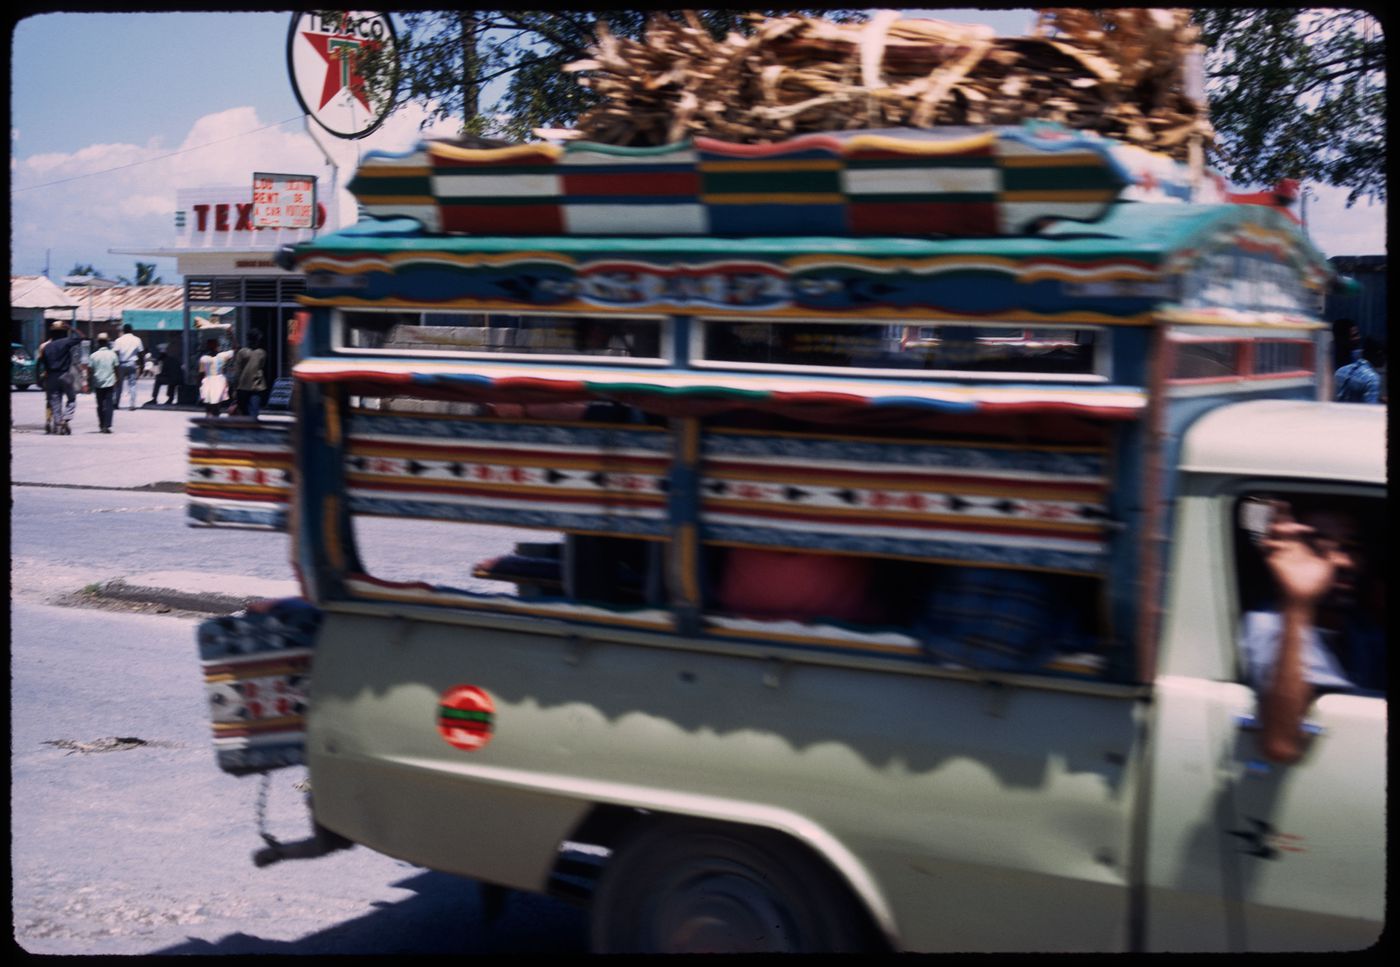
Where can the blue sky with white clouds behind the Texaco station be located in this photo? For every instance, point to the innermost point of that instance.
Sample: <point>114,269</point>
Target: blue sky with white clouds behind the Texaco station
<point>111,114</point>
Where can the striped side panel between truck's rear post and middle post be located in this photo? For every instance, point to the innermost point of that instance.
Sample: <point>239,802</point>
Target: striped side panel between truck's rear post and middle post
<point>583,478</point>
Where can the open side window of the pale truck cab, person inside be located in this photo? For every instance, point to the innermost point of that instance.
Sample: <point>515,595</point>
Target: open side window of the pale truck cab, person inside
<point>1325,553</point>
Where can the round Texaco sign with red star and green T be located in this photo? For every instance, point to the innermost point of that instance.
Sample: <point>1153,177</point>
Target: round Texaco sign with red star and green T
<point>321,50</point>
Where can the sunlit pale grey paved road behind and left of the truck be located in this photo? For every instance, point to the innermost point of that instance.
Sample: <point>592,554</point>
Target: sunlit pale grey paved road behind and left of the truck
<point>125,836</point>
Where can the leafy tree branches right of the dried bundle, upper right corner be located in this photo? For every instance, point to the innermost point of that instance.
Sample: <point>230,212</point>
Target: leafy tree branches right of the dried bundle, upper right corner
<point>1298,94</point>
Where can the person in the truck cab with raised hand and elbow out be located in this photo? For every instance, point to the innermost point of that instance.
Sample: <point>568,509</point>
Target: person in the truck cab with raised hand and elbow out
<point>1318,637</point>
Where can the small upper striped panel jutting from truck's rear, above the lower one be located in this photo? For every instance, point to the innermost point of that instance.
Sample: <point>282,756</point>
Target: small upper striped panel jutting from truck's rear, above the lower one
<point>240,475</point>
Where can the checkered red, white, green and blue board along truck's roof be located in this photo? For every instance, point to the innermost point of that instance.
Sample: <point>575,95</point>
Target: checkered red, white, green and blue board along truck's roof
<point>909,183</point>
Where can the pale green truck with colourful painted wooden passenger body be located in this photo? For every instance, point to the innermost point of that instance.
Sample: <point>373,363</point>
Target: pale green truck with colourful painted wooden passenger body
<point>754,478</point>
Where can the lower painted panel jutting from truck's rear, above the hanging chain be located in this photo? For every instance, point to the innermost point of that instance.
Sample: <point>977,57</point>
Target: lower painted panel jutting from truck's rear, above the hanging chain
<point>257,672</point>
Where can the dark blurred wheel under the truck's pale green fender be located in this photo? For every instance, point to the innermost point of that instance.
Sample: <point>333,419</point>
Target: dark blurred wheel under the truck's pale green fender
<point>695,888</point>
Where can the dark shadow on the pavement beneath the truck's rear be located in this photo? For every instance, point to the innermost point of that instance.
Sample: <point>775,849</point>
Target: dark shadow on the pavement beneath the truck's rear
<point>443,917</point>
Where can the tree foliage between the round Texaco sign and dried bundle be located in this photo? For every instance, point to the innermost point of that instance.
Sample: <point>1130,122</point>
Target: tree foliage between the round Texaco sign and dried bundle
<point>447,58</point>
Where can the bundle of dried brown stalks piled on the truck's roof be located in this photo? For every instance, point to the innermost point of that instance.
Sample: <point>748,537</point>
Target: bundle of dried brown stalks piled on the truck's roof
<point>1122,73</point>
